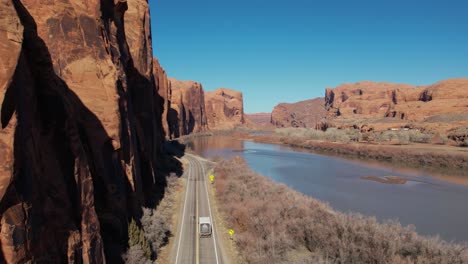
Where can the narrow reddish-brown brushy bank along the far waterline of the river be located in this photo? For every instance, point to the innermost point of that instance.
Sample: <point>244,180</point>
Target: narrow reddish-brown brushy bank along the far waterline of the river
<point>441,159</point>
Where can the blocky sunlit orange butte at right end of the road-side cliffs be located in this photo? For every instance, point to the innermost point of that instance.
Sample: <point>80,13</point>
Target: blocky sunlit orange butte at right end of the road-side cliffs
<point>224,108</point>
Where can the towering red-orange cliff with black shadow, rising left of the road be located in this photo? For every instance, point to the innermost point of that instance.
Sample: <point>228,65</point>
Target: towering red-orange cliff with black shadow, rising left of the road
<point>81,128</point>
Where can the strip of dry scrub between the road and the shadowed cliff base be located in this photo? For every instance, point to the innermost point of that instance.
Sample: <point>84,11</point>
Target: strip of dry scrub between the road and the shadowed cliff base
<point>154,230</point>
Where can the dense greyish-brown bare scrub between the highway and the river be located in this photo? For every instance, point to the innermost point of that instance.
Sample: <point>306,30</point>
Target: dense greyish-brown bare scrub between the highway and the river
<point>275,224</point>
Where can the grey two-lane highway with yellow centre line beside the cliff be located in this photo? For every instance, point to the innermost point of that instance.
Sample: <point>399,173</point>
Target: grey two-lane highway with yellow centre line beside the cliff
<point>189,247</point>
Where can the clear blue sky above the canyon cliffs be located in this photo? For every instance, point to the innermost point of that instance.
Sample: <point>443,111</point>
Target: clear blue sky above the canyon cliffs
<point>286,51</point>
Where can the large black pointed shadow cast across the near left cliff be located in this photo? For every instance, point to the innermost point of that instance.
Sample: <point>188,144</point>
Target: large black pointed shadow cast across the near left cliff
<point>67,175</point>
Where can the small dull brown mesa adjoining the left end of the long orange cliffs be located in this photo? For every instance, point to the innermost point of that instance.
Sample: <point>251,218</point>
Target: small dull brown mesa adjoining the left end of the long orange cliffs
<point>306,113</point>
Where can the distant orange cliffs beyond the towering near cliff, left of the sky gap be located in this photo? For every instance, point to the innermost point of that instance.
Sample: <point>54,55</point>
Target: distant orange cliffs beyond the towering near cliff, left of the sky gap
<point>189,109</point>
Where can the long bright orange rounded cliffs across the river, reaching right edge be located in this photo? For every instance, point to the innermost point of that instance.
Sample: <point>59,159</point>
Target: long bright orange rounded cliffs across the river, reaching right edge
<point>444,102</point>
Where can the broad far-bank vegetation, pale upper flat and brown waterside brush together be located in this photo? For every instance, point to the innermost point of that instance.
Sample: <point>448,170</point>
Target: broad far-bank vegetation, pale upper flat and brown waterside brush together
<point>337,142</point>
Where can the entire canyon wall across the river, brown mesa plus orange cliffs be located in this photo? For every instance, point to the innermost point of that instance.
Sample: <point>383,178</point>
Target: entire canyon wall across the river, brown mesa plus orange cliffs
<point>440,106</point>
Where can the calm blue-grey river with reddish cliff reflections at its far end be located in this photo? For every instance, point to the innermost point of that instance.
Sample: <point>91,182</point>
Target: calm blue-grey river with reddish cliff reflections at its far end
<point>434,206</point>
